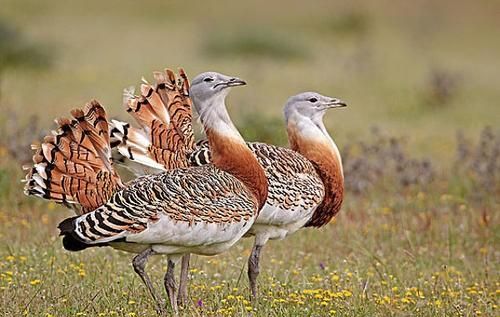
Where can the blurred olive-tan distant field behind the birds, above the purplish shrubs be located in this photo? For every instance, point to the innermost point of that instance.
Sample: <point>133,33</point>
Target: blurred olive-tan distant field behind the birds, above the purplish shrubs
<point>423,69</point>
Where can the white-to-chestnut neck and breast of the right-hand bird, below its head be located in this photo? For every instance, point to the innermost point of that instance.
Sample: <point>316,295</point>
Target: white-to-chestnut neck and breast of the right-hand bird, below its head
<point>310,138</point>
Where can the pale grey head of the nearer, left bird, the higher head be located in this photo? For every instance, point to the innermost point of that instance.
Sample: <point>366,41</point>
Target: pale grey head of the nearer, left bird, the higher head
<point>210,86</point>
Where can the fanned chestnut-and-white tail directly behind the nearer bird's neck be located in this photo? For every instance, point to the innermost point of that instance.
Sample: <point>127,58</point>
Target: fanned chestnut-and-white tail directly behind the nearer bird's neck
<point>164,112</point>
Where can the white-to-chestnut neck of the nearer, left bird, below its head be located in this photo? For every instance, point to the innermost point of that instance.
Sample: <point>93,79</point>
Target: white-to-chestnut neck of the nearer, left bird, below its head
<point>230,152</point>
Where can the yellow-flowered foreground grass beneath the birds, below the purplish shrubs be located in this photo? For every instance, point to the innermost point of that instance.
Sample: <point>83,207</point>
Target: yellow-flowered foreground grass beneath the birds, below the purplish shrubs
<point>419,250</point>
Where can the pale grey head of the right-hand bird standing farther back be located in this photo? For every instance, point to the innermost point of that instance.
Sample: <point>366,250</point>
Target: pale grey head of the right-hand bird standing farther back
<point>311,105</point>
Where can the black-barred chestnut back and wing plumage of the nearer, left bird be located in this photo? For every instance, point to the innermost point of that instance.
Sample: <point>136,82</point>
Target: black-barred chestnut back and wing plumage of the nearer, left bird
<point>195,195</point>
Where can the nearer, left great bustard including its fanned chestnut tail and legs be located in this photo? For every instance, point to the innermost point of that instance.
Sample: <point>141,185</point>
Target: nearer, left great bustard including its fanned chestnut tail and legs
<point>201,210</point>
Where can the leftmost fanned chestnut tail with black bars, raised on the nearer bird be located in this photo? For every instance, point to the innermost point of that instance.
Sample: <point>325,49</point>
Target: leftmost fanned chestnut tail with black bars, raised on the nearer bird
<point>73,166</point>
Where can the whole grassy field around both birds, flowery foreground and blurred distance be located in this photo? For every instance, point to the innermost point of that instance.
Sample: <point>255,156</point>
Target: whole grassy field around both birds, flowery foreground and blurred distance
<point>403,244</point>
